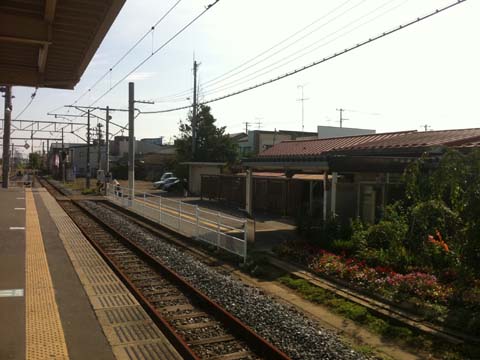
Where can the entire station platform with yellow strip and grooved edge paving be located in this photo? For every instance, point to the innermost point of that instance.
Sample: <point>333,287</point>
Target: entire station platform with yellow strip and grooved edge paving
<point>58,298</point>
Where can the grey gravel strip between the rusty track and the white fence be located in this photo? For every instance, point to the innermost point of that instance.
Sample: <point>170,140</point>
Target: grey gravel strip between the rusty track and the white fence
<point>285,327</point>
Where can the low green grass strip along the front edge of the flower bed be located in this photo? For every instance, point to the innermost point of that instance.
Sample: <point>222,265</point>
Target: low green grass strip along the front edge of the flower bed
<point>377,325</point>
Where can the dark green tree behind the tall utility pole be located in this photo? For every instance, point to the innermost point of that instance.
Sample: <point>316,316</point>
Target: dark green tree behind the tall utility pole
<point>212,144</point>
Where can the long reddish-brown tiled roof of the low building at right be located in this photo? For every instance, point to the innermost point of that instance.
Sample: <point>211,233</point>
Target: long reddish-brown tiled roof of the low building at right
<point>395,140</point>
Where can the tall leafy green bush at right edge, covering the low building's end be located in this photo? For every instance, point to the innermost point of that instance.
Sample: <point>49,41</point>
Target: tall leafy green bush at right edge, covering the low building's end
<point>447,198</point>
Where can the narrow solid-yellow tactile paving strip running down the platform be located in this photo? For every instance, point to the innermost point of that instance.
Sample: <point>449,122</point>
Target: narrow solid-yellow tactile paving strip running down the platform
<point>44,333</point>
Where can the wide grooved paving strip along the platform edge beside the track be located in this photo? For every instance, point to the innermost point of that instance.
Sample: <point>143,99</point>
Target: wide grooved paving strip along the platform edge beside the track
<point>128,329</point>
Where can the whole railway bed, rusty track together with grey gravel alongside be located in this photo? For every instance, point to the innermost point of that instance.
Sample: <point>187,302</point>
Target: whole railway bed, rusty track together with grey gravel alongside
<point>227,319</point>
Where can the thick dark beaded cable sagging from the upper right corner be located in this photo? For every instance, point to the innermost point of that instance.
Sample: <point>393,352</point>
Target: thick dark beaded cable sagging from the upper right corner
<point>315,63</point>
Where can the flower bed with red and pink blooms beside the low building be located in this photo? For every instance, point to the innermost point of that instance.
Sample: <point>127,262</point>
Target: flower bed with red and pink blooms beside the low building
<point>416,291</point>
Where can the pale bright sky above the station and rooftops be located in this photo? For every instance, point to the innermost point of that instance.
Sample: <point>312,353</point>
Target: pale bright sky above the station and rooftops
<point>426,74</point>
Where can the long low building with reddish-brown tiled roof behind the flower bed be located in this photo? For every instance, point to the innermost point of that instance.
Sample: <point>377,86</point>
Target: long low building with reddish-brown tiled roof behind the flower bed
<point>355,175</point>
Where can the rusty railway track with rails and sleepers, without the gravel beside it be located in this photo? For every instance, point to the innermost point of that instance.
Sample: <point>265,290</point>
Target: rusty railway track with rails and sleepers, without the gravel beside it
<point>196,326</point>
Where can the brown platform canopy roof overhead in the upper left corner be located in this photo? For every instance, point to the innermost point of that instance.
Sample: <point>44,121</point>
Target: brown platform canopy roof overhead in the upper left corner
<point>49,43</point>
